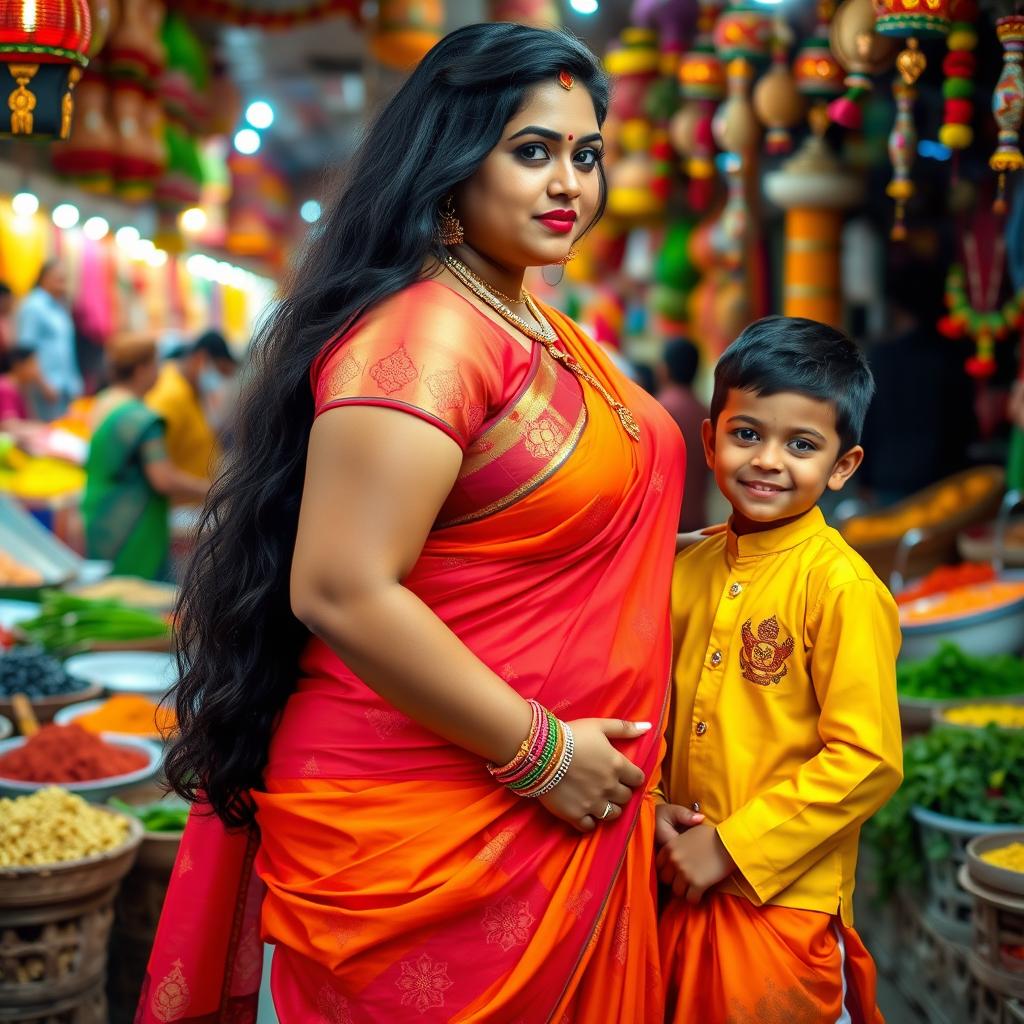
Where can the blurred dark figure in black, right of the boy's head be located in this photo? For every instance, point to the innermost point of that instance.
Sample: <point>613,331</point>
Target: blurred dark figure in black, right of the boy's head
<point>922,421</point>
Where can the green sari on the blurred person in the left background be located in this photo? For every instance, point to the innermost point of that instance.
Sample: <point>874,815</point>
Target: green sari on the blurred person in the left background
<point>126,520</point>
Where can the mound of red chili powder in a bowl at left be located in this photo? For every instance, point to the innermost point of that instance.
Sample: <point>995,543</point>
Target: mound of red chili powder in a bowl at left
<point>68,754</point>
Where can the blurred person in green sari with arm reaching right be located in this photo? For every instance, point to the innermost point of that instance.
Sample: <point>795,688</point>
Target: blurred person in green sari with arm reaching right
<point>130,479</point>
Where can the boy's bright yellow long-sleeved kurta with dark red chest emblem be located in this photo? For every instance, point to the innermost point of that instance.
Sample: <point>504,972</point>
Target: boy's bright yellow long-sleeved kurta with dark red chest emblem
<point>785,730</point>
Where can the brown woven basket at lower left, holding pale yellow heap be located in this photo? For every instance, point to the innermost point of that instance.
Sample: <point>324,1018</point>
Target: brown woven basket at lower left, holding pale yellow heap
<point>55,928</point>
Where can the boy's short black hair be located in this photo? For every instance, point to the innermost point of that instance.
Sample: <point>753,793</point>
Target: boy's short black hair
<point>790,354</point>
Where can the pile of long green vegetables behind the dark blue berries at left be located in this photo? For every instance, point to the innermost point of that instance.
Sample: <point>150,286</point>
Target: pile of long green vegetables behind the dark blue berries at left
<point>67,623</point>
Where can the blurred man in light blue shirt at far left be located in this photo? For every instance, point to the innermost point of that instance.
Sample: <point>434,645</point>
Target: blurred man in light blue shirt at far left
<point>45,324</point>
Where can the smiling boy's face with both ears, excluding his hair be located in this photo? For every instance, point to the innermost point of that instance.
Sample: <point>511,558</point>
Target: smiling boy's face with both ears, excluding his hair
<point>775,456</point>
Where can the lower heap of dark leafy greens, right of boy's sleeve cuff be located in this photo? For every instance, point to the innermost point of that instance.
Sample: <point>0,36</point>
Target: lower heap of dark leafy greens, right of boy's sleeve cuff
<point>974,775</point>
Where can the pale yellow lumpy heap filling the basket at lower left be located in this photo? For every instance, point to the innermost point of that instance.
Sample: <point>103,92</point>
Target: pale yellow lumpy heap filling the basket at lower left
<point>53,826</point>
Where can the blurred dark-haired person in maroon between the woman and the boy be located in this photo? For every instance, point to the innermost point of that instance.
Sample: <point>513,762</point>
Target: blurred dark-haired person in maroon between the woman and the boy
<point>678,370</point>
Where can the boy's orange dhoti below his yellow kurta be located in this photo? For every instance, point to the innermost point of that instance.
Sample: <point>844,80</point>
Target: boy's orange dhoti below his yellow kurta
<point>728,962</point>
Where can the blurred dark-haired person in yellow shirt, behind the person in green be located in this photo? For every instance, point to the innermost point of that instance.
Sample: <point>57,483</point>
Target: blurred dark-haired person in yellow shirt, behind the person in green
<point>178,397</point>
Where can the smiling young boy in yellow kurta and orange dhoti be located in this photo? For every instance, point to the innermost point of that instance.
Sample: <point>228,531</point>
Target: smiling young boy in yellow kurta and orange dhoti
<point>785,734</point>
